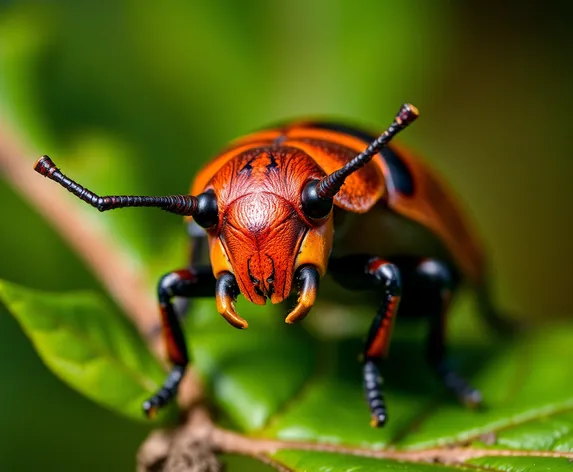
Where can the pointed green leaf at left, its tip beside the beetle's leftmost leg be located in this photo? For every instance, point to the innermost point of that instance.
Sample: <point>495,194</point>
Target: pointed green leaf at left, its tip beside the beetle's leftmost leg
<point>89,346</point>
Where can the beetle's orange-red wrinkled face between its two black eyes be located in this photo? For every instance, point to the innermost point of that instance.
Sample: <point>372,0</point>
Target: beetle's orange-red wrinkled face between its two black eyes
<point>261,223</point>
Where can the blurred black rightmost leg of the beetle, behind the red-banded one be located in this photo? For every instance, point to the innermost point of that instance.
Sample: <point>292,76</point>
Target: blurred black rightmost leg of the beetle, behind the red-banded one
<point>436,283</point>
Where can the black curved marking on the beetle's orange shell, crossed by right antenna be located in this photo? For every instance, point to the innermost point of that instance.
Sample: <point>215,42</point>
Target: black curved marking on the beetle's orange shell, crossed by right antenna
<point>399,172</point>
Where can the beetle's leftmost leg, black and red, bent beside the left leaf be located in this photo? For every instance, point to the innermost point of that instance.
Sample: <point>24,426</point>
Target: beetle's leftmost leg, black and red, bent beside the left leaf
<point>189,283</point>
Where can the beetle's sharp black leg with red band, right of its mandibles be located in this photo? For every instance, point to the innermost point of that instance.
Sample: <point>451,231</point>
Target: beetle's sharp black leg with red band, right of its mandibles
<point>366,272</point>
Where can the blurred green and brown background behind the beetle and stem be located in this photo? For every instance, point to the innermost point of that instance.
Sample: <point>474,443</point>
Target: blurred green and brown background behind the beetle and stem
<point>132,98</point>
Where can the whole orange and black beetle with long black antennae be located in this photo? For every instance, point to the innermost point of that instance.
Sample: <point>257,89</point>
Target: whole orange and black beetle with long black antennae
<point>282,206</point>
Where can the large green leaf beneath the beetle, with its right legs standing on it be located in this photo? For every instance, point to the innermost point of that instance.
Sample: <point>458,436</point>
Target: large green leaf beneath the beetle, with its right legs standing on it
<point>275,381</point>
